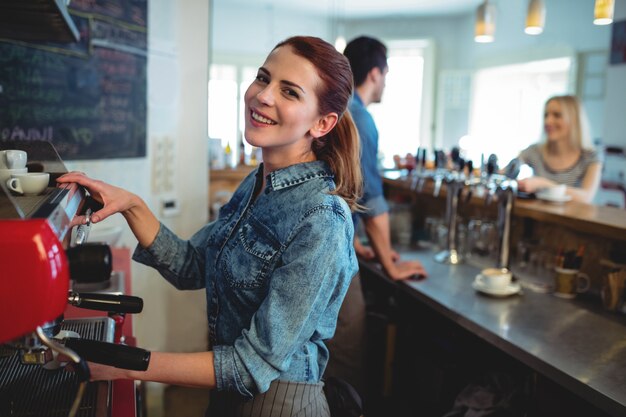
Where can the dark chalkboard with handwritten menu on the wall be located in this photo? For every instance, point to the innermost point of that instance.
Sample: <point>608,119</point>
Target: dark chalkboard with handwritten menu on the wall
<point>87,98</point>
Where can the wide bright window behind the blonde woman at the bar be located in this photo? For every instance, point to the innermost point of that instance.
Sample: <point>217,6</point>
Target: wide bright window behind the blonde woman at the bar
<point>507,106</point>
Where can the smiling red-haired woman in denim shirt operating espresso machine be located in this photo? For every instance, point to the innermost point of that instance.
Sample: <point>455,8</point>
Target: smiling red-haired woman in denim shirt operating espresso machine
<point>270,303</point>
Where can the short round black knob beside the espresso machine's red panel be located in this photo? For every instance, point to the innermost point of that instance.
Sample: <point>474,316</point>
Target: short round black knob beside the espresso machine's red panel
<point>90,262</point>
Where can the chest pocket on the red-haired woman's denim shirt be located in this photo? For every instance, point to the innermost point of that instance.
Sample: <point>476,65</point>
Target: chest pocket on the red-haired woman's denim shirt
<point>248,258</point>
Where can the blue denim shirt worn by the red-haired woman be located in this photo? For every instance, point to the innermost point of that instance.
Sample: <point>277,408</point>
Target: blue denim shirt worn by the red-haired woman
<point>276,270</point>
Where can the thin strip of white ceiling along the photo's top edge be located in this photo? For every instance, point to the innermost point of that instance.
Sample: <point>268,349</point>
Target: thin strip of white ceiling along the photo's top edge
<point>366,8</point>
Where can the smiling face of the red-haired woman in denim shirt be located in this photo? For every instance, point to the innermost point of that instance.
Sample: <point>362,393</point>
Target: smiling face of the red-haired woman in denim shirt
<point>281,104</point>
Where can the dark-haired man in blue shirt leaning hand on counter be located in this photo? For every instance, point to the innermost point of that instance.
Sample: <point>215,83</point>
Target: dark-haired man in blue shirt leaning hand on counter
<point>368,60</point>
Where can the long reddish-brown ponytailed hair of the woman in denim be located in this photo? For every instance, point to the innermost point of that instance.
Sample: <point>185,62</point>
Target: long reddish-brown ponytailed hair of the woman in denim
<point>340,148</point>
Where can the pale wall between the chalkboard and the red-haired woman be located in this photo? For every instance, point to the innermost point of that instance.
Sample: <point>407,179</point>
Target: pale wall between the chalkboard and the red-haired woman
<point>175,168</point>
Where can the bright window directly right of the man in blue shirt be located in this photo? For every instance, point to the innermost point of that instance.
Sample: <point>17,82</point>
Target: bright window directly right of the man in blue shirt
<point>402,114</point>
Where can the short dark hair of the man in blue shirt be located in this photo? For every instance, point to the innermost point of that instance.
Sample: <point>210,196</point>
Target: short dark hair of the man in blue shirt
<point>365,53</point>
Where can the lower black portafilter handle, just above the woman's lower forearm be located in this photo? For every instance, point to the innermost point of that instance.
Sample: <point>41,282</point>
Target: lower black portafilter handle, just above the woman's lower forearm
<point>119,356</point>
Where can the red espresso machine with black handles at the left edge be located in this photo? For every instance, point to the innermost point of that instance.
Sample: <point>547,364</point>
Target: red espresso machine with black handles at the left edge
<point>40,260</point>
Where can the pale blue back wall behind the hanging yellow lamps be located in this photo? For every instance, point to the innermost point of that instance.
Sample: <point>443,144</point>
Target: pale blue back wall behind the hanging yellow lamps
<point>569,30</point>
